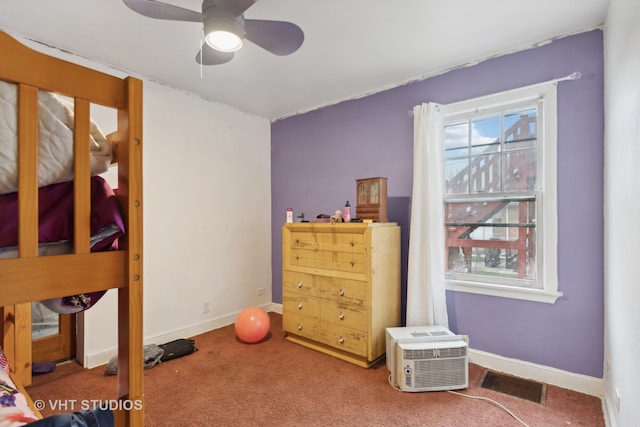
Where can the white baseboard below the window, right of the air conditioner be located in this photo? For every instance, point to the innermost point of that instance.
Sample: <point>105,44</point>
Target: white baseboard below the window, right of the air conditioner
<point>545,374</point>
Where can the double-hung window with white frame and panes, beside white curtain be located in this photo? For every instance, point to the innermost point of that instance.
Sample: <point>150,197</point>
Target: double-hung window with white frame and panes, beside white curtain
<point>499,194</point>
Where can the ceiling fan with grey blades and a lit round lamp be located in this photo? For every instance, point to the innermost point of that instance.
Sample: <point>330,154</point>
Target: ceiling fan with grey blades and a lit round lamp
<point>225,28</point>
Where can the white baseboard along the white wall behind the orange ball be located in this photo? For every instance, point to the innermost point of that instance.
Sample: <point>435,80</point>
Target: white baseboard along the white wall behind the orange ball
<point>102,358</point>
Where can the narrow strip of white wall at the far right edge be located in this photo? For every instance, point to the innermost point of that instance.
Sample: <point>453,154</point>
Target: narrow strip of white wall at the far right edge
<point>622,204</point>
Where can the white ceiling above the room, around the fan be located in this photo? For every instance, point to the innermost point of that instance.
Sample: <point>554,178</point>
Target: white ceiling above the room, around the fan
<point>351,48</point>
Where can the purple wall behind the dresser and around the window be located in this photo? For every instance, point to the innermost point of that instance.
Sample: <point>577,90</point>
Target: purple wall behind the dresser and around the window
<point>317,156</point>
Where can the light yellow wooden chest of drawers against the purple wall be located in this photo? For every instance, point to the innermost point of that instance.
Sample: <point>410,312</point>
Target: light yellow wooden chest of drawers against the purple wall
<point>341,287</point>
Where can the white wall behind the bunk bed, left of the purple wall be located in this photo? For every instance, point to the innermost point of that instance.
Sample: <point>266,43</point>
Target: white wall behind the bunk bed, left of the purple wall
<point>207,237</point>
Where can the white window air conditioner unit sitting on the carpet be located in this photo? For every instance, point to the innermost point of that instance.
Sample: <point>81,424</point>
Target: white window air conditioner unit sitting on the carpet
<point>427,358</point>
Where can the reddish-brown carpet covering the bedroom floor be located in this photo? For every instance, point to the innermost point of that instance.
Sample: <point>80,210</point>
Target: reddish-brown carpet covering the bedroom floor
<point>279,383</point>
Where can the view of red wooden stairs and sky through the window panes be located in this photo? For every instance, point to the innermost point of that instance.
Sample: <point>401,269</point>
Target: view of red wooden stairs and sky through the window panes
<point>490,176</point>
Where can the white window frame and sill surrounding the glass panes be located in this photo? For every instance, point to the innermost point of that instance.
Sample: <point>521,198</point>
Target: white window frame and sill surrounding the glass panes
<point>545,288</point>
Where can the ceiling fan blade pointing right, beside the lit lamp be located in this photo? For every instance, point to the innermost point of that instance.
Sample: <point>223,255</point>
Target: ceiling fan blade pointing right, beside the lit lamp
<point>278,37</point>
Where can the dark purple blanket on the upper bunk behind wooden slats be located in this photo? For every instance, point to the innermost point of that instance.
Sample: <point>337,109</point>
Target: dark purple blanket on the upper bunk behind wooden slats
<point>55,207</point>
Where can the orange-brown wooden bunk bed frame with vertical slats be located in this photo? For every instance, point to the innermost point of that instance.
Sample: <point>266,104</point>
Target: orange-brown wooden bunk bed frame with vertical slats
<point>30,277</point>
